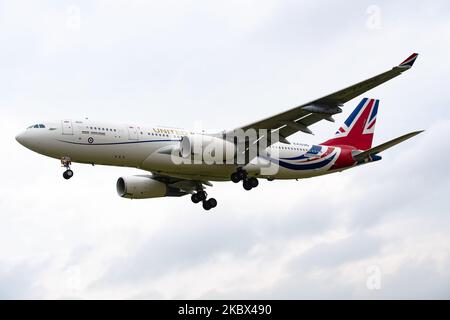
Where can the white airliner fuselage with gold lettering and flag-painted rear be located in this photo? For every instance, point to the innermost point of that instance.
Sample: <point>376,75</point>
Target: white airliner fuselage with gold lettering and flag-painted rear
<point>148,148</point>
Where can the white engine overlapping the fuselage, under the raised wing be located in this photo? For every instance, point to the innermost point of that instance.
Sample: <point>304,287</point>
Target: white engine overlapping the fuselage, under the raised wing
<point>207,148</point>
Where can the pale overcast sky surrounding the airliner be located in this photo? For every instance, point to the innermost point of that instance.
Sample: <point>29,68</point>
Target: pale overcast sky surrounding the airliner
<point>377,231</point>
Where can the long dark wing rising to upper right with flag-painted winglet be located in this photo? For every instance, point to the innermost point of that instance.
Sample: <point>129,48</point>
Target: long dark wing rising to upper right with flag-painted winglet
<point>303,116</point>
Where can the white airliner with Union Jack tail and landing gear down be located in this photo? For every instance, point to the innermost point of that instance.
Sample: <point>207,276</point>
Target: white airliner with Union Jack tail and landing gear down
<point>178,167</point>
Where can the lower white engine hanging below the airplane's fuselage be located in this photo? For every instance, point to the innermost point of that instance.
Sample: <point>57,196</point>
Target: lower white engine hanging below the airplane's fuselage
<point>144,187</point>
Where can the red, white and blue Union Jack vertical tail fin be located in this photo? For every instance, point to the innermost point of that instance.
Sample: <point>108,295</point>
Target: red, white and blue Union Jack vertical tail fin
<point>358,129</point>
